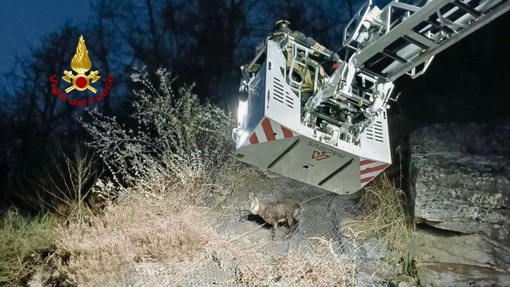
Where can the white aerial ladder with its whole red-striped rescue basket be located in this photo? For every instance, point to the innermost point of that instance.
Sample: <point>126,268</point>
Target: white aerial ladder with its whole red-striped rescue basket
<point>335,135</point>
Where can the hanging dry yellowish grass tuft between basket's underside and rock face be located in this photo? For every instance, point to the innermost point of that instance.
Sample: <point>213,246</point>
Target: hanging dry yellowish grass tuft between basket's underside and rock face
<point>384,217</point>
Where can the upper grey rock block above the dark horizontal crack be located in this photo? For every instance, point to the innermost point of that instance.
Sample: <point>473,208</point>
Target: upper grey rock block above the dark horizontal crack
<point>463,178</point>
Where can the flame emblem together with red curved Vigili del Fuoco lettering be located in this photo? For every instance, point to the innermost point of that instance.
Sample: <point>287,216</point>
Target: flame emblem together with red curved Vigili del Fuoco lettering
<point>81,79</point>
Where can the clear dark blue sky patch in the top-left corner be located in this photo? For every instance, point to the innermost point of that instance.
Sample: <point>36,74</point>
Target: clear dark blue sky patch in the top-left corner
<point>24,22</point>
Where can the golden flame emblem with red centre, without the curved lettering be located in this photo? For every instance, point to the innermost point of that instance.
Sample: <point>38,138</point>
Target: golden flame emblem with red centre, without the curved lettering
<point>81,64</point>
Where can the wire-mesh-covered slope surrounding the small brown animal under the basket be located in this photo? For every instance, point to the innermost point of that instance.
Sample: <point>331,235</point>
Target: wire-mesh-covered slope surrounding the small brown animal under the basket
<point>322,250</point>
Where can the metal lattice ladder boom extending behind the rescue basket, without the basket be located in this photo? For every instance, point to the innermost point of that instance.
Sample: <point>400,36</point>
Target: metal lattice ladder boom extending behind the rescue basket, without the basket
<point>403,38</point>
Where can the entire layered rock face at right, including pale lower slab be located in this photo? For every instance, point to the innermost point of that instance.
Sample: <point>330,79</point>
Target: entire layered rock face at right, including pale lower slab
<point>461,188</point>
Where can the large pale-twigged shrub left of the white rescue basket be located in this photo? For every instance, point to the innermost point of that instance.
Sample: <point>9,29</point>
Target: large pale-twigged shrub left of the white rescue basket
<point>175,139</point>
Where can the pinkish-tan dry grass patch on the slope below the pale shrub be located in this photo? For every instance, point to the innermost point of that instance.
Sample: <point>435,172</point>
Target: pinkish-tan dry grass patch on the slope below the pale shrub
<point>99,252</point>
